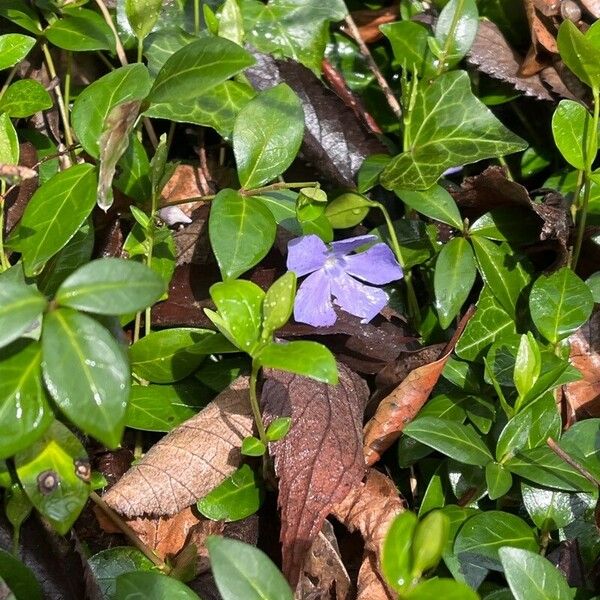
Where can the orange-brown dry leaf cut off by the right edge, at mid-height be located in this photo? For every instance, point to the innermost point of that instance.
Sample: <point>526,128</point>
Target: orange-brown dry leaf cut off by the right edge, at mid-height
<point>584,395</point>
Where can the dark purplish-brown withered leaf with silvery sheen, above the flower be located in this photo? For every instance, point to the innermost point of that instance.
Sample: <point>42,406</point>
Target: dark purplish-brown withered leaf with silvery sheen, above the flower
<point>335,142</point>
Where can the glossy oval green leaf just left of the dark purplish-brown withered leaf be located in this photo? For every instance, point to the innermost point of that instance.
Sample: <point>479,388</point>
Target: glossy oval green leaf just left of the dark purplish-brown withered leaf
<point>267,135</point>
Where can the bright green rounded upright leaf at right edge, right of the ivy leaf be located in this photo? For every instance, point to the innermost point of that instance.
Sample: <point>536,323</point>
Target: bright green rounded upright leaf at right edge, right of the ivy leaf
<point>572,130</point>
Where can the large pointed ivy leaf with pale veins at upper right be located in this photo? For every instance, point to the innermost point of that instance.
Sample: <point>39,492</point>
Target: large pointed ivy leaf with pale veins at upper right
<point>438,142</point>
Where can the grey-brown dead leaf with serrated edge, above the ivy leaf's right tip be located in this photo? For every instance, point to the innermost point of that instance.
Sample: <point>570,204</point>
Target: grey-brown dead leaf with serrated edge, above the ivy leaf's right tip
<point>492,55</point>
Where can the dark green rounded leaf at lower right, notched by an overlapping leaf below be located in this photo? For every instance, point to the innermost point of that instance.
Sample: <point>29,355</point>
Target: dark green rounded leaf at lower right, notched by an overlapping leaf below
<point>482,536</point>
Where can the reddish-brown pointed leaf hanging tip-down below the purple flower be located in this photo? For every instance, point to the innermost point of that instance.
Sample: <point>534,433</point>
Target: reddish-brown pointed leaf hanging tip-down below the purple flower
<point>320,459</point>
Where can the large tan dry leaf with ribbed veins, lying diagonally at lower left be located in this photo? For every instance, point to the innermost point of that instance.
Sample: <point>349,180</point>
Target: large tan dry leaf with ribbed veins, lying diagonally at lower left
<point>188,462</point>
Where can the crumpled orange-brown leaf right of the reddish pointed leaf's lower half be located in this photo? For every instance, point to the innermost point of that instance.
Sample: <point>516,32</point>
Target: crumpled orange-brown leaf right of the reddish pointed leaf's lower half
<point>370,508</point>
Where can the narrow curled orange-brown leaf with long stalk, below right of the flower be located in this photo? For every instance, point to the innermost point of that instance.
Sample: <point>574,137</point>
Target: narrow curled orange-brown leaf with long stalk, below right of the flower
<point>403,404</point>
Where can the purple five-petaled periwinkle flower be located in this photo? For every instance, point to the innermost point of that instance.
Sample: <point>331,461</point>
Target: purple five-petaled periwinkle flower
<point>332,273</point>
